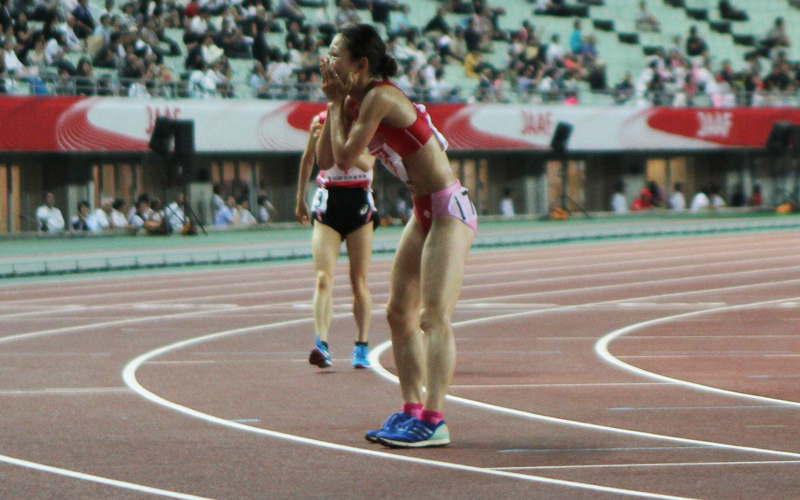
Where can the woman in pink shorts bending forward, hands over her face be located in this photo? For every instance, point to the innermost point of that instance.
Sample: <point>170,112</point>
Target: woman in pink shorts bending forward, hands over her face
<point>366,111</point>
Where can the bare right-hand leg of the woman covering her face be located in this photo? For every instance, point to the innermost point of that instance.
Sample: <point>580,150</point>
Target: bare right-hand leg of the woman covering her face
<point>442,272</point>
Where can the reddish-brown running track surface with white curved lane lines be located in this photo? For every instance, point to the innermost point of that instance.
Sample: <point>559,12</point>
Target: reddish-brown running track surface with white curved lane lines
<point>652,368</point>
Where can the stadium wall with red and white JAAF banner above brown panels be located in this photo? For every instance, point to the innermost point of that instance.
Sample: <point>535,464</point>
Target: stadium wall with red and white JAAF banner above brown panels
<point>83,148</point>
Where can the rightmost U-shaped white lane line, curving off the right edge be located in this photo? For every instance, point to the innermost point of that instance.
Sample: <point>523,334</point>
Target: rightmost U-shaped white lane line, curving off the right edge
<point>601,349</point>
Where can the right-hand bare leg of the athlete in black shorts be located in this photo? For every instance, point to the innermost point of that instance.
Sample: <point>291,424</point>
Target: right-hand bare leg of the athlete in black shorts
<point>359,250</point>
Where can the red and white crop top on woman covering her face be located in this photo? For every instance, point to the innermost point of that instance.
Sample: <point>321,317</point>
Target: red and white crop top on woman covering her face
<point>392,144</point>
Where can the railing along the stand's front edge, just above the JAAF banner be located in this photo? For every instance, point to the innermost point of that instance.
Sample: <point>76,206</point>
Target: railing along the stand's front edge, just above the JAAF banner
<point>110,85</point>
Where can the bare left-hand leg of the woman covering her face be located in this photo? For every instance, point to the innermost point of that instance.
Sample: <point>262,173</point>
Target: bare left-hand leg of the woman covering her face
<point>402,311</point>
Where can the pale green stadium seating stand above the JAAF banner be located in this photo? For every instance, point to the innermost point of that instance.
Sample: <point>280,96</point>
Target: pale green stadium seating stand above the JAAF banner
<point>623,47</point>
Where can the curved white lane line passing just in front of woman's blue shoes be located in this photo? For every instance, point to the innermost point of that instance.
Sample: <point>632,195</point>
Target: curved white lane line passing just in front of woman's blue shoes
<point>129,376</point>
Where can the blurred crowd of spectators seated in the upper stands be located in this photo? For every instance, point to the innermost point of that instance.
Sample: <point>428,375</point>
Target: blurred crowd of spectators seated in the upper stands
<point>185,48</point>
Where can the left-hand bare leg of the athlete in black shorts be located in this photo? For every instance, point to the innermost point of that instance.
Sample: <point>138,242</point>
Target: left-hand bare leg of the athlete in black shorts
<point>325,246</point>
